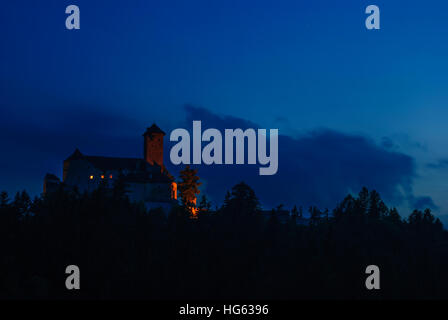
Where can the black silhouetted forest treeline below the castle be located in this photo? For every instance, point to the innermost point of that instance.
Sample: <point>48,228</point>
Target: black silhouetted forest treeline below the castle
<point>234,252</point>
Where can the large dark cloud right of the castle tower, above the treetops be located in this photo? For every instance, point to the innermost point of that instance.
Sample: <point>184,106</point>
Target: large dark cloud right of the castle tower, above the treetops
<point>318,168</point>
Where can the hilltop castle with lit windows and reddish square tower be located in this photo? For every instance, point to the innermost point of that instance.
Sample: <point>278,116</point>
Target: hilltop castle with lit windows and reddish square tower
<point>146,180</point>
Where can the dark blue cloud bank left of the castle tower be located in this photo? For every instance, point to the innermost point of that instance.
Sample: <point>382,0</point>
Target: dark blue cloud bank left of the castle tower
<point>36,141</point>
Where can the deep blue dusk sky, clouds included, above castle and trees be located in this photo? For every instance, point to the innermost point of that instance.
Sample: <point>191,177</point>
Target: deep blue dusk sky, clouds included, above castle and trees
<point>355,107</point>
